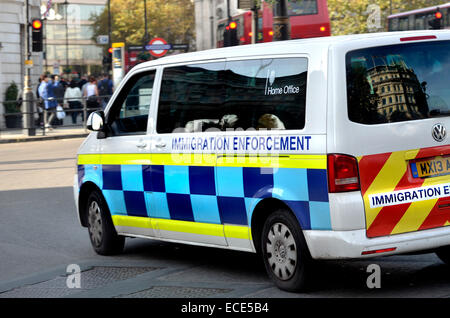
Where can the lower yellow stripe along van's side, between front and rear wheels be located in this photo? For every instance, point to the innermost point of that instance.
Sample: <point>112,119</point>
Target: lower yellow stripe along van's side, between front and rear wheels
<point>232,231</point>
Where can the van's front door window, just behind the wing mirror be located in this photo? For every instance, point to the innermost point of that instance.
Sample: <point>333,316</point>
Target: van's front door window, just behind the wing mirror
<point>129,114</point>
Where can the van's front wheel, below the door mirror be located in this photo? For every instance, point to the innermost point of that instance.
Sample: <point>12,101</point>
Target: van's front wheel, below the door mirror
<point>103,235</point>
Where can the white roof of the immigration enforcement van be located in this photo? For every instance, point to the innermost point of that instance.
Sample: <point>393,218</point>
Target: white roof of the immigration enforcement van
<point>286,47</point>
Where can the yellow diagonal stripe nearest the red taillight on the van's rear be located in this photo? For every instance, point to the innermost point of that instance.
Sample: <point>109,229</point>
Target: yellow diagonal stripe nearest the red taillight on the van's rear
<point>386,181</point>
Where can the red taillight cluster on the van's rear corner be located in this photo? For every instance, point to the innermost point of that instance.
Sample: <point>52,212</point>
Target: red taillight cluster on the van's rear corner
<point>342,173</point>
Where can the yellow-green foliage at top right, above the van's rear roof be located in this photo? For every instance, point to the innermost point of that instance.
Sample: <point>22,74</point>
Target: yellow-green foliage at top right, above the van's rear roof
<point>351,16</point>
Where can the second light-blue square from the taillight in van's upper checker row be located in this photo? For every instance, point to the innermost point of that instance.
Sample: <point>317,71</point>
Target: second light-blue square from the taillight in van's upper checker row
<point>230,182</point>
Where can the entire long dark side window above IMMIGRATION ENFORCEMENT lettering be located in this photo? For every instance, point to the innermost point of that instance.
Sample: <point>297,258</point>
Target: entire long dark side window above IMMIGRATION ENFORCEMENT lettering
<point>249,94</point>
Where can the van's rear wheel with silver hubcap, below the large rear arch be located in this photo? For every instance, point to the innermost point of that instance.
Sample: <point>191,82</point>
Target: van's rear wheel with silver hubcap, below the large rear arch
<point>284,251</point>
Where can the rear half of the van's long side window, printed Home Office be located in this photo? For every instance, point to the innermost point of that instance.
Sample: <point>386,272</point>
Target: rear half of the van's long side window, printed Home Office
<point>266,93</point>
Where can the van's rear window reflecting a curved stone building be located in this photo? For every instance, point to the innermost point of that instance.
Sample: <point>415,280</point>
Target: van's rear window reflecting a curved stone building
<point>397,83</point>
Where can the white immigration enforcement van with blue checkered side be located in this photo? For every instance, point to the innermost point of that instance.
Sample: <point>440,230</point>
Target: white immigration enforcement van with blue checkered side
<point>330,148</point>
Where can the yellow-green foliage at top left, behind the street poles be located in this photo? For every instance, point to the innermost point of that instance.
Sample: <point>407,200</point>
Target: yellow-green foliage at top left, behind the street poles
<point>172,20</point>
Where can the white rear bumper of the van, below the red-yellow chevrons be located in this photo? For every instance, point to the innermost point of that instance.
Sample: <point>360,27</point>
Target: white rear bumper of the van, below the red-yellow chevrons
<point>351,244</point>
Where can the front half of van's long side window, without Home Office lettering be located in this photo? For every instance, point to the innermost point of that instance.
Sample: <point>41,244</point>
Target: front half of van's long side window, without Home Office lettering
<point>190,97</point>
